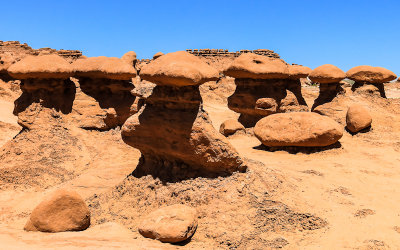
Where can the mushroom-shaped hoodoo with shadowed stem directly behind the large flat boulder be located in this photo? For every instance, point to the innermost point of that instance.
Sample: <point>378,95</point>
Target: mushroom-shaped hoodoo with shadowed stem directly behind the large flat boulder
<point>264,86</point>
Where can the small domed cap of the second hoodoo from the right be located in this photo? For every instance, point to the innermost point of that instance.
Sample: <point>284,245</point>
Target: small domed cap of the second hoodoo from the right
<point>327,73</point>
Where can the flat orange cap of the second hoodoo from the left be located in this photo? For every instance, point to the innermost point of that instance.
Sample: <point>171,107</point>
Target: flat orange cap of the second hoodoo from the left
<point>104,67</point>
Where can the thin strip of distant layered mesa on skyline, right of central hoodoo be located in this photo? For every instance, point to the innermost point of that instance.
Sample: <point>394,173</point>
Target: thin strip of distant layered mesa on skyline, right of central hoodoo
<point>226,53</point>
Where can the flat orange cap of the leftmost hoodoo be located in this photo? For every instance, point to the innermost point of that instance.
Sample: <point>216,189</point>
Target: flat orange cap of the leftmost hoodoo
<point>46,66</point>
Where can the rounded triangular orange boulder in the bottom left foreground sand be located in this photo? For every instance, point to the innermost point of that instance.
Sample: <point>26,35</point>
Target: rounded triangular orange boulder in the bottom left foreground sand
<point>60,212</point>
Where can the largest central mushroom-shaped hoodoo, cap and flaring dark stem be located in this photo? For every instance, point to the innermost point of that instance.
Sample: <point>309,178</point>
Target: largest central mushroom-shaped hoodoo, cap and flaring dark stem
<point>173,132</point>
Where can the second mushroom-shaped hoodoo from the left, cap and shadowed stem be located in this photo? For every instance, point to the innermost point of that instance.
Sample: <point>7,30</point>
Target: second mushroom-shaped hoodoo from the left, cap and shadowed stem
<point>109,81</point>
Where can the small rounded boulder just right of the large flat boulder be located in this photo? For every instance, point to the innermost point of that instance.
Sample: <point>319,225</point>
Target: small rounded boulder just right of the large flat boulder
<point>358,118</point>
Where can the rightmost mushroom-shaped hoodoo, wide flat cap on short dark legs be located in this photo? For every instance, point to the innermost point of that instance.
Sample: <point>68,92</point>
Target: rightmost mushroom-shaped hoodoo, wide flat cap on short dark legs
<point>369,75</point>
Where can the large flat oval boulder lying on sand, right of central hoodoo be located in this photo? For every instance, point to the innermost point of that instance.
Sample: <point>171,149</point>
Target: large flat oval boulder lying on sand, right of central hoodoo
<point>303,129</point>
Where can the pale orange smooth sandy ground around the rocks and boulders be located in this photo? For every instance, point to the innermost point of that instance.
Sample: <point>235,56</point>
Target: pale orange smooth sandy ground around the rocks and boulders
<point>352,186</point>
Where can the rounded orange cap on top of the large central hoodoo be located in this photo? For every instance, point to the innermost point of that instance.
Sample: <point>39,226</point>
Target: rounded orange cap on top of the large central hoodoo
<point>178,69</point>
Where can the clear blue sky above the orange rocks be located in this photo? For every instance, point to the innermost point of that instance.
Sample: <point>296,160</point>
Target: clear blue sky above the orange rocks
<point>343,33</point>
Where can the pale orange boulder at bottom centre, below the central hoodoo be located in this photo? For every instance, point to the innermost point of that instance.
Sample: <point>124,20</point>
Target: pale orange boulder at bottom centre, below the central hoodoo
<point>171,224</point>
